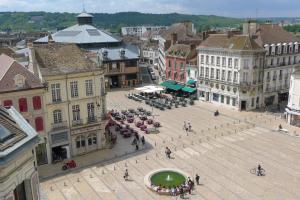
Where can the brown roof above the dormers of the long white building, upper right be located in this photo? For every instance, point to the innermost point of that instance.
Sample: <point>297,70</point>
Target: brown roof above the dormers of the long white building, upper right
<point>274,34</point>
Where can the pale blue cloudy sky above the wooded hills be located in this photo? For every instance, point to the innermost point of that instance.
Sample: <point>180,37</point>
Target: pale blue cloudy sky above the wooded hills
<point>233,8</point>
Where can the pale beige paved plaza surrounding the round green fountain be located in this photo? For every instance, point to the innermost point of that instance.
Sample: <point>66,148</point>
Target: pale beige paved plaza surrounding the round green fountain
<point>222,150</point>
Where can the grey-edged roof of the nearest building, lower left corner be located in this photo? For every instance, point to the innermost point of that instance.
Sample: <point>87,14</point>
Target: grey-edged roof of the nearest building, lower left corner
<point>16,135</point>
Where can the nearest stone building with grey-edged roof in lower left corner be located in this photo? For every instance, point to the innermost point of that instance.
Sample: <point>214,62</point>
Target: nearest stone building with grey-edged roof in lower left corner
<point>18,166</point>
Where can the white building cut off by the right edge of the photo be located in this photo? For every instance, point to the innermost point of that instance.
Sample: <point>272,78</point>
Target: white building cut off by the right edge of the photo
<point>293,107</point>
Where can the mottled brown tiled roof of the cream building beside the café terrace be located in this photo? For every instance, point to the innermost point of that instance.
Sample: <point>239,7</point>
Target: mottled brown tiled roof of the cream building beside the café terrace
<point>58,58</point>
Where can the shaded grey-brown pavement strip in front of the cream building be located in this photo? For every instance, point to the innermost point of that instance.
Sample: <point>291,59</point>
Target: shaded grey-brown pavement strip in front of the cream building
<point>122,149</point>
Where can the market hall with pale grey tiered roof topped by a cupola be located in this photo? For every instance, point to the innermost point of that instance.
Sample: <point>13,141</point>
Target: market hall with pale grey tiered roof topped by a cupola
<point>119,58</point>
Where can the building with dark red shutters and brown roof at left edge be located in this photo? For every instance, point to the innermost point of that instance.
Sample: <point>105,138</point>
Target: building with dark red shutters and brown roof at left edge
<point>21,89</point>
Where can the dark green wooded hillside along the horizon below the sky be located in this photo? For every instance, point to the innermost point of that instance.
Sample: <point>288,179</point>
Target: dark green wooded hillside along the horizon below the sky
<point>35,21</point>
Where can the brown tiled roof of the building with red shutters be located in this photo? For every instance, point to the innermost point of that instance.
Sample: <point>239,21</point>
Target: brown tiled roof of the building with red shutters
<point>9,68</point>
